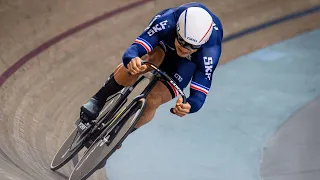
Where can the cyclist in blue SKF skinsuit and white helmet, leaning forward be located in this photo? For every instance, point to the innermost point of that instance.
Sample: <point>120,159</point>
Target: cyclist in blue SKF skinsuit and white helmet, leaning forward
<point>183,41</point>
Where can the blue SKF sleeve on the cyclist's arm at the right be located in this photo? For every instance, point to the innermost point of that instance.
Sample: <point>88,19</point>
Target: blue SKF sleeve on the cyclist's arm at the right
<point>207,61</point>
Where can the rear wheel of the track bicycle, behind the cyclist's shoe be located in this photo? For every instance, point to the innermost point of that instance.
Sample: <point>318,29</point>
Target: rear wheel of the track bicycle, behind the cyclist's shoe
<point>78,137</point>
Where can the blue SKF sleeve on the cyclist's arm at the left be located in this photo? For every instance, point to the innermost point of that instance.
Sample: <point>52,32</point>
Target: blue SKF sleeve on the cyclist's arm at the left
<point>149,39</point>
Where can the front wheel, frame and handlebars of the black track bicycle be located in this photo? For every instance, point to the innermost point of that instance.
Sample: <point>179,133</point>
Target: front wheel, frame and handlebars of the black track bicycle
<point>120,126</point>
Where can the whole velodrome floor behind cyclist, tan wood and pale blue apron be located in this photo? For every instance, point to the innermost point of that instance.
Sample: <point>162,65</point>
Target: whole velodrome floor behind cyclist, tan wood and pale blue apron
<point>259,121</point>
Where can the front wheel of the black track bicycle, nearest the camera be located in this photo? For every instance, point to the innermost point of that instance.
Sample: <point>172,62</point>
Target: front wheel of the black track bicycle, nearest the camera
<point>102,148</point>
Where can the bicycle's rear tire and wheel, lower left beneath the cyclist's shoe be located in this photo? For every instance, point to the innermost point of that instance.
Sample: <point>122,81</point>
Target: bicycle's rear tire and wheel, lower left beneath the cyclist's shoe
<point>63,155</point>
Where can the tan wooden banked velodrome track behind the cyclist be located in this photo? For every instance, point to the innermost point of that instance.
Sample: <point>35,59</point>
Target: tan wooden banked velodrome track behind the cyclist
<point>41,94</point>
